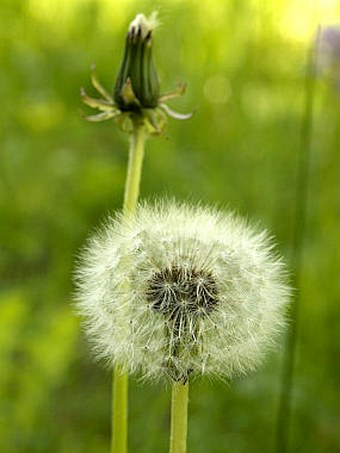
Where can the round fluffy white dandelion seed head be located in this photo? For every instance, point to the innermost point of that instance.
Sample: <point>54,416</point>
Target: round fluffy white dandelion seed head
<point>177,291</point>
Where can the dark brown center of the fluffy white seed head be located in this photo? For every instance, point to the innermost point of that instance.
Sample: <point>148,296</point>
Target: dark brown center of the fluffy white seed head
<point>176,290</point>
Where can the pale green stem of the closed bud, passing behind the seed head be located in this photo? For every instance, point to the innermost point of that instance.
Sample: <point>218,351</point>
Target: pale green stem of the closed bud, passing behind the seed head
<point>120,378</point>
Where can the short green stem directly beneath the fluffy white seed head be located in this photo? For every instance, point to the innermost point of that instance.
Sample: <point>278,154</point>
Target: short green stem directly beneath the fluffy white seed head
<point>179,417</point>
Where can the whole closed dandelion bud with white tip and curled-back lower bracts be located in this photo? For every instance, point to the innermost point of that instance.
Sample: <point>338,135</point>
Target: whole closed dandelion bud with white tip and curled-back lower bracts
<point>136,97</point>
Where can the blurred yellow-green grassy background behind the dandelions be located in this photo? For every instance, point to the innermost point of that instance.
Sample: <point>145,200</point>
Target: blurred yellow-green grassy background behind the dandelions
<point>244,61</point>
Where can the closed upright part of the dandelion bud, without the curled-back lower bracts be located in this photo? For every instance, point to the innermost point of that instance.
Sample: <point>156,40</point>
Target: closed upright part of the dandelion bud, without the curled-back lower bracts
<point>137,84</point>
